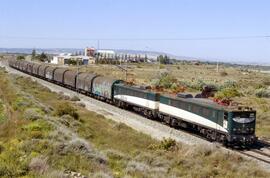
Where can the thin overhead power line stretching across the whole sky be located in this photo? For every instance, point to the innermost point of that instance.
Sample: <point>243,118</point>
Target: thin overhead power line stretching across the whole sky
<point>137,39</point>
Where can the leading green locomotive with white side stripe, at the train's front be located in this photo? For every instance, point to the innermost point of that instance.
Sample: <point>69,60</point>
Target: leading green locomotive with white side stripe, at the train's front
<point>227,124</point>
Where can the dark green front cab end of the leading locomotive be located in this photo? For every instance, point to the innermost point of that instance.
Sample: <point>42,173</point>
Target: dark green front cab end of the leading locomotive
<point>241,126</point>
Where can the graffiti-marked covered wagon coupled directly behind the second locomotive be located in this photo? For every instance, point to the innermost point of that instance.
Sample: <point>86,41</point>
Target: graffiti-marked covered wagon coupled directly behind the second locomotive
<point>103,87</point>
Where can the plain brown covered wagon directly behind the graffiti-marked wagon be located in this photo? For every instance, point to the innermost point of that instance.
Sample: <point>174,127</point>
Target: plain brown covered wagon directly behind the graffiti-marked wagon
<point>84,81</point>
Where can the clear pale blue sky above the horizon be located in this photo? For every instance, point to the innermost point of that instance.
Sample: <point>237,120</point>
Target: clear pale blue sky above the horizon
<point>76,24</point>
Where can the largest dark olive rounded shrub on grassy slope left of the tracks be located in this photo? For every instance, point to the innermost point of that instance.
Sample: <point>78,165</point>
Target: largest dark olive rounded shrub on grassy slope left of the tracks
<point>66,109</point>
